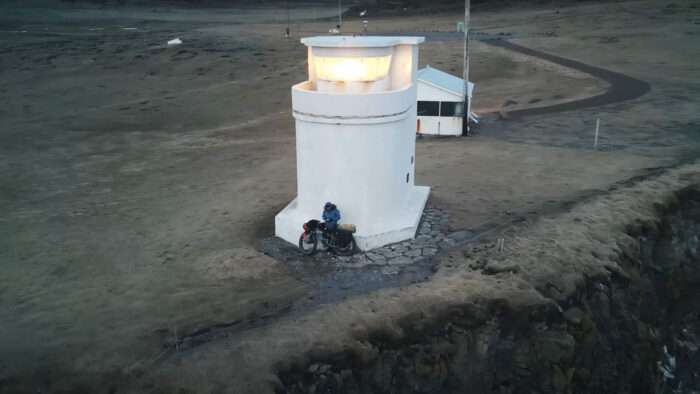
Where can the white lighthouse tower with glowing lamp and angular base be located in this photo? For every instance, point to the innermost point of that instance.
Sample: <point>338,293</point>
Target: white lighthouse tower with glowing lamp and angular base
<point>355,138</point>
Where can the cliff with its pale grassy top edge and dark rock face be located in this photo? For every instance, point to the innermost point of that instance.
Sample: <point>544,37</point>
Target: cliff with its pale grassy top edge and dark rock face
<point>577,303</point>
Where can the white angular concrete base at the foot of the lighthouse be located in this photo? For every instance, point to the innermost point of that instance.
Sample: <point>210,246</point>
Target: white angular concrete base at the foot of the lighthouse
<point>288,223</point>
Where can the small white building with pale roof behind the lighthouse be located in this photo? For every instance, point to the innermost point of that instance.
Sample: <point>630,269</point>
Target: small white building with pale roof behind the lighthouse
<point>440,101</point>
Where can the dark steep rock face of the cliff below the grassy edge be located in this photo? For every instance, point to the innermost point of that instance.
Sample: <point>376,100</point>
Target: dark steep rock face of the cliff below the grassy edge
<point>631,333</point>
